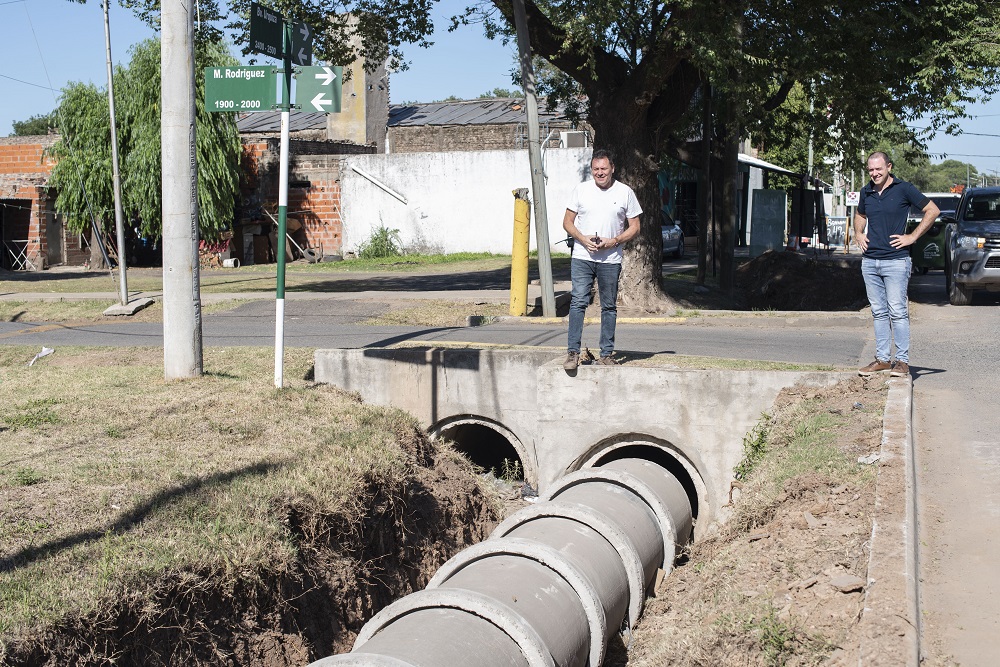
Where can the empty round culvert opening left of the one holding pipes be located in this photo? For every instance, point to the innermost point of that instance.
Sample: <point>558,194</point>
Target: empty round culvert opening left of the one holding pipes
<point>489,445</point>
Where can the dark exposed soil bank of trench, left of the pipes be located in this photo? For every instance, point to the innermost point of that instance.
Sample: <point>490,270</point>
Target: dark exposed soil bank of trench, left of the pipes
<point>349,567</point>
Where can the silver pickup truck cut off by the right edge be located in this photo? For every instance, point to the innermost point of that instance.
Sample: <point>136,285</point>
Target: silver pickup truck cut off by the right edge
<point>972,245</point>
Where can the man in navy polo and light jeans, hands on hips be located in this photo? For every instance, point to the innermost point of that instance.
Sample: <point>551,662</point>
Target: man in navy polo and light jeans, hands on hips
<point>886,264</point>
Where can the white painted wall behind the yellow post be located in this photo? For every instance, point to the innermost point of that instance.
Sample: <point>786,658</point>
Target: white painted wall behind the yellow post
<point>455,201</point>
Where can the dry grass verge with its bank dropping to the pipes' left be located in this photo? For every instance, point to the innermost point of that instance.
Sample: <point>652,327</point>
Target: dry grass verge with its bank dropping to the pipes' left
<point>124,498</point>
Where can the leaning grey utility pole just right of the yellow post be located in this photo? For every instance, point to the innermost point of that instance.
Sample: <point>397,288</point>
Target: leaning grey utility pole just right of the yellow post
<point>535,160</point>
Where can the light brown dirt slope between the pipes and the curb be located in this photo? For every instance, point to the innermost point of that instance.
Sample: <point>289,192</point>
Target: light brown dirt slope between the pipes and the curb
<point>783,583</point>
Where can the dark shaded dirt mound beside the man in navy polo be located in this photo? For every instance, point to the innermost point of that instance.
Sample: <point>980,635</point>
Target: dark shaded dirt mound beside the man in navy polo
<point>791,281</point>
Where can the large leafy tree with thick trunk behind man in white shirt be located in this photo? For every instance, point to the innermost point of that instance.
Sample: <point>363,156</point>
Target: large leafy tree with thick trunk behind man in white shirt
<point>644,70</point>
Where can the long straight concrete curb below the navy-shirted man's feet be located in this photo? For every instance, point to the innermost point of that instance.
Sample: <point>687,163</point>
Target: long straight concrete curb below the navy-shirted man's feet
<point>890,622</point>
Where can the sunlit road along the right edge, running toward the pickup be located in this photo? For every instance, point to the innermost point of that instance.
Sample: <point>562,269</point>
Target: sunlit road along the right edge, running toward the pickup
<point>957,444</point>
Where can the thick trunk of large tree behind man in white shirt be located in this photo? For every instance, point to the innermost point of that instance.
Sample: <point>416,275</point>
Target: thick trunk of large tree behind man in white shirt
<point>621,127</point>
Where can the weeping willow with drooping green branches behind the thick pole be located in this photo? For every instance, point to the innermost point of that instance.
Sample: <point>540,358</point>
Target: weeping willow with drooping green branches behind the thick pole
<point>83,176</point>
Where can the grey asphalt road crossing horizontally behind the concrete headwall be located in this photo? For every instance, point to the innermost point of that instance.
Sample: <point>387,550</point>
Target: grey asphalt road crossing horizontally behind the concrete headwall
<point>836,339</point>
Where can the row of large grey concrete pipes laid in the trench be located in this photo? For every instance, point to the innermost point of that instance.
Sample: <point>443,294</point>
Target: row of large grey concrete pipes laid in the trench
<point>551,585</point>
